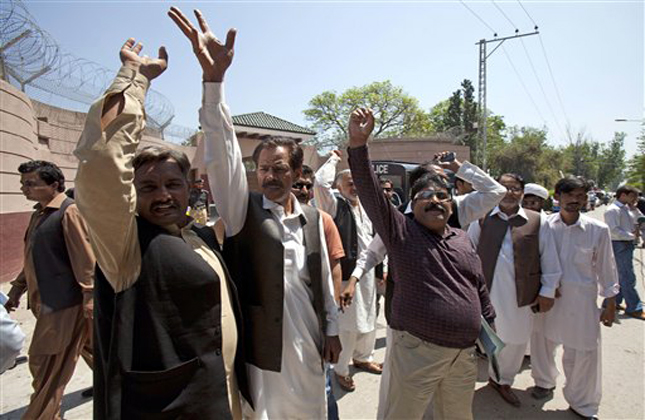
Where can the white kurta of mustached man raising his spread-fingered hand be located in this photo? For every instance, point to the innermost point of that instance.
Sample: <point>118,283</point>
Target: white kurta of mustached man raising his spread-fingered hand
<point>298,390</point>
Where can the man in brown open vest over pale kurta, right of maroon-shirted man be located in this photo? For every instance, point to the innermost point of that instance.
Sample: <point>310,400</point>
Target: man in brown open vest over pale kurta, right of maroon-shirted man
<point>522,272</point>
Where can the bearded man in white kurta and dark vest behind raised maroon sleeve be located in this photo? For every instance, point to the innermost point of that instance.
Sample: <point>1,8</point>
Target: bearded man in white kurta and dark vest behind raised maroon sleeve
<point>357,323</point>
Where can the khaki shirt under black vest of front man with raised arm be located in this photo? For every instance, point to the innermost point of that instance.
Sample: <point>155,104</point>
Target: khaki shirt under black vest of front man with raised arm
<point>107,199</point>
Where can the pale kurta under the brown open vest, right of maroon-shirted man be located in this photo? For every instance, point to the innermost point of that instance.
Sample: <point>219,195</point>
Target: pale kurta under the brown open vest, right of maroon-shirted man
<point>514,324</point>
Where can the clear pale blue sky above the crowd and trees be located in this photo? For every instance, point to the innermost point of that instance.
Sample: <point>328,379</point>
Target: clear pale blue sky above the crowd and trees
<point>583,70</point>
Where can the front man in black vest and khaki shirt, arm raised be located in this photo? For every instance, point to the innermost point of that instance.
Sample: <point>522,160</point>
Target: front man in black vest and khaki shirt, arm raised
<point>168,321</point>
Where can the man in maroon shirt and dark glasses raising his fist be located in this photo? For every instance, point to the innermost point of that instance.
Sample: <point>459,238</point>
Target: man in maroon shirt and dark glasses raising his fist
<point>440,297</point>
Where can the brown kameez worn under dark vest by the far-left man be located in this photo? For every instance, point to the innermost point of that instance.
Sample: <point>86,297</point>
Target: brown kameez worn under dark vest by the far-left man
<point>50,334</point>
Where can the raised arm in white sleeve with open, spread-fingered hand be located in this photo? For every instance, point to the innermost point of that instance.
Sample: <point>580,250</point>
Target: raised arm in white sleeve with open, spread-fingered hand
<point>222,154</point>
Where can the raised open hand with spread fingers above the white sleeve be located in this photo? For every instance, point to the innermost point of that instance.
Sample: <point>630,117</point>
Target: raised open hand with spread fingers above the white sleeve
<point>213,56</point>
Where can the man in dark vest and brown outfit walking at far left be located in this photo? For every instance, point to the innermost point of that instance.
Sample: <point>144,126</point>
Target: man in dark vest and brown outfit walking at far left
<point>58,276</point>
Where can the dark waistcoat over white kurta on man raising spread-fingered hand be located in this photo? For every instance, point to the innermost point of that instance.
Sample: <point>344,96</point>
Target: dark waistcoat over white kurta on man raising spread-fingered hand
<point>255,257</point>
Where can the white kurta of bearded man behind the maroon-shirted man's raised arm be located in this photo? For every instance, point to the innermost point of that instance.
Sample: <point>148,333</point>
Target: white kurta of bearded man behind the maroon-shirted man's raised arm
<point>360,316</point>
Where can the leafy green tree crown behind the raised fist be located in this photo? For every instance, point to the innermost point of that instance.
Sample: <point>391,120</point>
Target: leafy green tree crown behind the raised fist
<point>397,114</point>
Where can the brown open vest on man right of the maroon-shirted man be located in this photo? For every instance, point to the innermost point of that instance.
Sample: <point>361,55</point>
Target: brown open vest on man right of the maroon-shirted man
<point>526,251</point>
